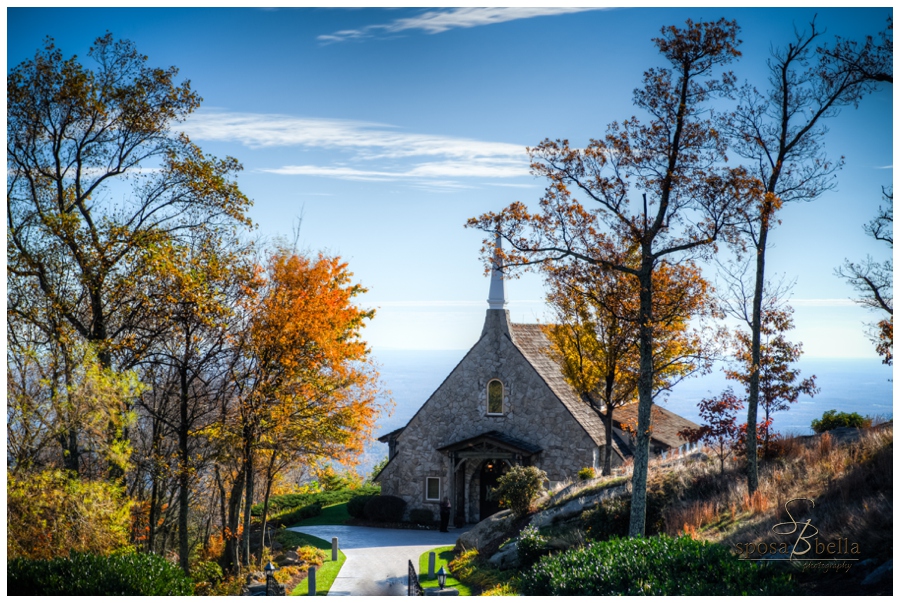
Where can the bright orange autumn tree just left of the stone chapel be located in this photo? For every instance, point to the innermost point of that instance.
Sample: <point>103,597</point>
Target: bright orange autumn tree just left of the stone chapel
<point>307,388</point>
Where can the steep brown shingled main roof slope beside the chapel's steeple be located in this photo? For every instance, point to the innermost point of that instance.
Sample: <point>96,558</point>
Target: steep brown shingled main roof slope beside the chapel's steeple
<point>534,345</point>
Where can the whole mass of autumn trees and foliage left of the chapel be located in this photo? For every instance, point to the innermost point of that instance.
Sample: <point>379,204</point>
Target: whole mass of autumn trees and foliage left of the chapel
<point>156,354</point>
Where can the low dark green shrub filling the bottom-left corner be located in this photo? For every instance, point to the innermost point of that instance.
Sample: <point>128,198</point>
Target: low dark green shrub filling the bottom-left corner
<point>83,574</point>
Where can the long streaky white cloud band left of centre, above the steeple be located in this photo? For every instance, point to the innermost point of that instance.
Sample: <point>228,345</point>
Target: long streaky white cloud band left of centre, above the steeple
<point>371,151</point>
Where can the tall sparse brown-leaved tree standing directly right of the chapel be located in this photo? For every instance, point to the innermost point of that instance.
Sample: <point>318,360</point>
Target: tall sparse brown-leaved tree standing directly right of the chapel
<point>674,162</point>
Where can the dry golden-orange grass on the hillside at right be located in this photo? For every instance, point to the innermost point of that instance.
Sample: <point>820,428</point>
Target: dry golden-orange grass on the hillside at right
<point>850,485</point>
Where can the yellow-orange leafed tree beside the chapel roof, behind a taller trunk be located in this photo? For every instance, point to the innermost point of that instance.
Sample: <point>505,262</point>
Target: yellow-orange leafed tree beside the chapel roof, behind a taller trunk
<point>596,332</point>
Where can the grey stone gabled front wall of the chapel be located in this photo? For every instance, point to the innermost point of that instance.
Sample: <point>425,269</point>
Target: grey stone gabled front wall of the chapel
<point>458,410</point>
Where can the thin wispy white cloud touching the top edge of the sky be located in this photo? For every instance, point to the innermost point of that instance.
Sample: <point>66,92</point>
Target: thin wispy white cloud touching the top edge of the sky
<point>439,21</point>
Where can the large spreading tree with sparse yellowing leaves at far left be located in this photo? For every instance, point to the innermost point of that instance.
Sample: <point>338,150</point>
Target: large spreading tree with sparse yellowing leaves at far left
<point>77,138</point>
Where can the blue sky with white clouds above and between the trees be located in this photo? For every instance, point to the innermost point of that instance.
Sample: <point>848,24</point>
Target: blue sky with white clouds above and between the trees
<point>388,128</point>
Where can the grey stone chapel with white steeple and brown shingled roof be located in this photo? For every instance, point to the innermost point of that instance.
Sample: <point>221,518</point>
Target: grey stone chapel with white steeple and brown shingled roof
<point>505,403</point>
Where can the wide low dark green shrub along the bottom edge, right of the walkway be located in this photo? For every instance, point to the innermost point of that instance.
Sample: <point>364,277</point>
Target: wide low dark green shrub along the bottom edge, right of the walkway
<point>653,566</point>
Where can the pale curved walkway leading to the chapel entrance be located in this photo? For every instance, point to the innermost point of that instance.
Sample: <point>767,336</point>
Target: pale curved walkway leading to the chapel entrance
<point>377,558</point>
